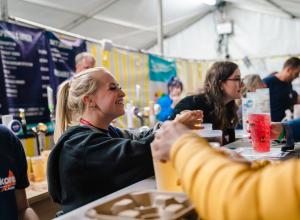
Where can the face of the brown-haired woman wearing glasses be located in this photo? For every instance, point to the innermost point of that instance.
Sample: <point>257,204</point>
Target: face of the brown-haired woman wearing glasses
<point>231,87</point>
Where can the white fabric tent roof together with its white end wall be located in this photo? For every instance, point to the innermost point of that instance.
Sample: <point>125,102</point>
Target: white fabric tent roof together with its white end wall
<point>261,27</point>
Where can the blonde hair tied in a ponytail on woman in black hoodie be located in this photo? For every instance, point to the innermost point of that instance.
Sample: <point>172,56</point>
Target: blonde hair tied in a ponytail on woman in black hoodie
<point>70,96</point>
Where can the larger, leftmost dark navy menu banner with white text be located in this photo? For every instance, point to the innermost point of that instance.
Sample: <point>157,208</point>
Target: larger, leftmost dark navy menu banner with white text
<point>23,71</point>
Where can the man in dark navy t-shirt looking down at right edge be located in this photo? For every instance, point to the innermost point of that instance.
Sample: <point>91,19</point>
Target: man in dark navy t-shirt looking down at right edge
<point>282,95</point>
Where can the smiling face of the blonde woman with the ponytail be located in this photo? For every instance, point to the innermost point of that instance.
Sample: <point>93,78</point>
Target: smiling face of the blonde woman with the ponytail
<point>109,97</point>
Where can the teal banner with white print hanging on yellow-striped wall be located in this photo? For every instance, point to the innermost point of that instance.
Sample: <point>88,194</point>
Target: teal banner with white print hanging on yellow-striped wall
<point>160,69</point>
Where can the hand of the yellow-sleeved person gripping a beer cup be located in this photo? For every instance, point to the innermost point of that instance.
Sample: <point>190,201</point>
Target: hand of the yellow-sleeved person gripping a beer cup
<point>168,133</point>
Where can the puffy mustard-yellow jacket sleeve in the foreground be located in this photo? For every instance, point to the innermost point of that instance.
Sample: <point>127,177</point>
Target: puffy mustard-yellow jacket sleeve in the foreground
<point>222,189</point>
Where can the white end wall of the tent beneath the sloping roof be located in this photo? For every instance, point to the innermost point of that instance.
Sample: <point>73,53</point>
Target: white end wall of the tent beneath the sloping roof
<point>255,35</point>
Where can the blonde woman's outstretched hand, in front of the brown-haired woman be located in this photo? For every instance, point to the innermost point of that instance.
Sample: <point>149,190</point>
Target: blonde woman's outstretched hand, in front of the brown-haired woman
<point>191,119</point>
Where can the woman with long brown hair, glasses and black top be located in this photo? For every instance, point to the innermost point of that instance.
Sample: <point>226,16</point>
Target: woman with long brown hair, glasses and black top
<point>221,87</point>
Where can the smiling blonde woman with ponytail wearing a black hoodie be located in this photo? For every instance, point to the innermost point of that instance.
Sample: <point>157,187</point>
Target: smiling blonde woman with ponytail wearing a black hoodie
<point>93,158</point>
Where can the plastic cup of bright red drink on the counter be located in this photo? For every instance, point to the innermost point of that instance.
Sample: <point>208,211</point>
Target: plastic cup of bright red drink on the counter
<point>259,126</point>
